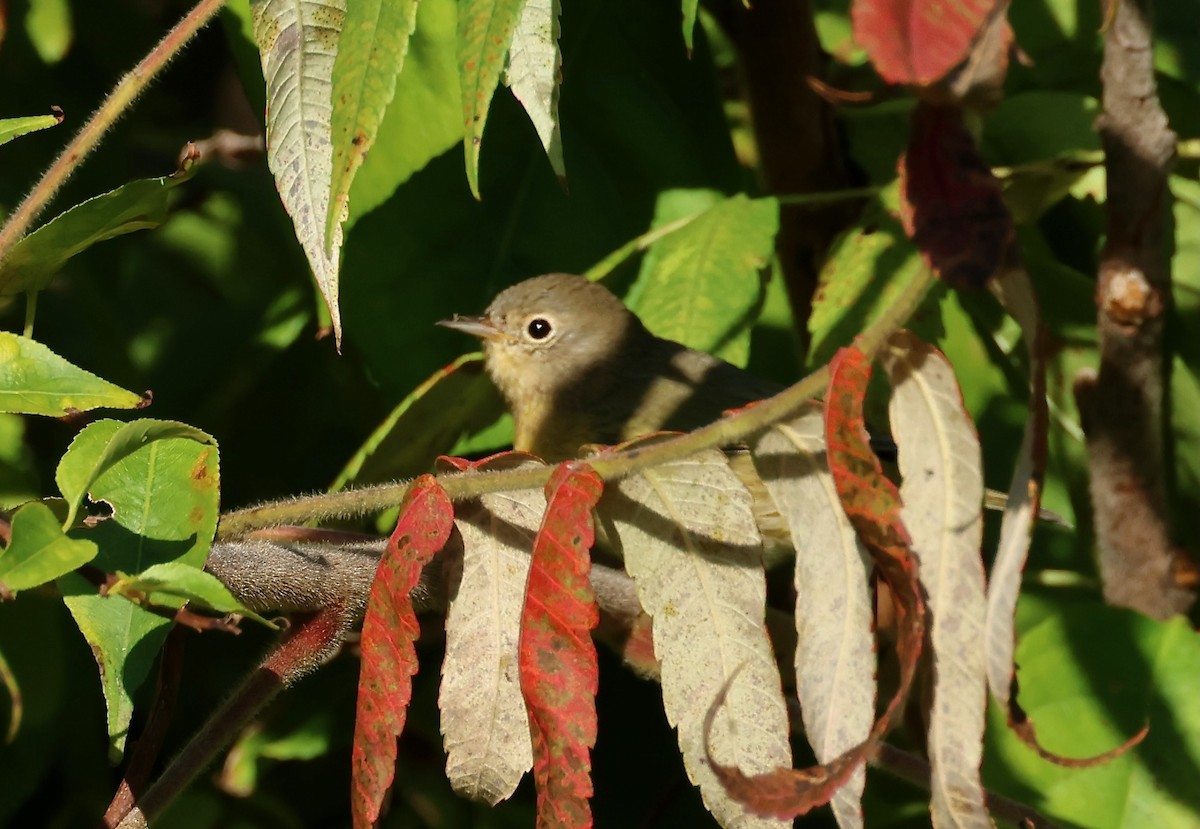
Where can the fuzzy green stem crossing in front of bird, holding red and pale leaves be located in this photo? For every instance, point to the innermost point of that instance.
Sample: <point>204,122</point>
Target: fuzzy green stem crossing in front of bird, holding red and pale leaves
<point>610,466</point>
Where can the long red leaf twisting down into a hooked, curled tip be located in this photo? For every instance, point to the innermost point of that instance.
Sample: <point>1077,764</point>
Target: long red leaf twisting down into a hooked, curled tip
<point>873,506</point>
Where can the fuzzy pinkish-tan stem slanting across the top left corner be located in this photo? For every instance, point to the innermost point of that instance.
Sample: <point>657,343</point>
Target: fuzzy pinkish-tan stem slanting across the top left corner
<point>86,141</point>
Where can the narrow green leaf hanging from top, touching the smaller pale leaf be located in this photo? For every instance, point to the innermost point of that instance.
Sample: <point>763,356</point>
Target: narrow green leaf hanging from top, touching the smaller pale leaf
<point>485,31</point>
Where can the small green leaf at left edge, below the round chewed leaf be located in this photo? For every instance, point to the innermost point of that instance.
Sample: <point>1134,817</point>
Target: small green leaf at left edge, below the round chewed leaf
<point>40,552</point>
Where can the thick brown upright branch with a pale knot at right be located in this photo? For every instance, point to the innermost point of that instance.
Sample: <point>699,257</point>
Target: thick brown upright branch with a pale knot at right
<point>1121,406</point>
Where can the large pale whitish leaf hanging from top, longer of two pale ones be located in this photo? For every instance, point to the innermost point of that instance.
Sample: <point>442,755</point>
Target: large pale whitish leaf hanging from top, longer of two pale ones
<point>298,44</point>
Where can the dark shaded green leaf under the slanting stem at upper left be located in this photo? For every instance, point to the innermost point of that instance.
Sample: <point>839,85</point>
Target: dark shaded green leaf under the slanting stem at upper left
<point>137,206</point>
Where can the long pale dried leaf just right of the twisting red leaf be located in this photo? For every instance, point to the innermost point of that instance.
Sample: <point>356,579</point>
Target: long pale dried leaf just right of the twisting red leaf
<point>943,494</point>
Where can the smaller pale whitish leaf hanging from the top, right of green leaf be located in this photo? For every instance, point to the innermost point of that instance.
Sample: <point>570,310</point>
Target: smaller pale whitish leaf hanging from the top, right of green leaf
<point>533,75</point>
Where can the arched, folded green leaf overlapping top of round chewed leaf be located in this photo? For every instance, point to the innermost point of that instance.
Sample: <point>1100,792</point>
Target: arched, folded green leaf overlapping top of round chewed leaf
<point>105,444</point>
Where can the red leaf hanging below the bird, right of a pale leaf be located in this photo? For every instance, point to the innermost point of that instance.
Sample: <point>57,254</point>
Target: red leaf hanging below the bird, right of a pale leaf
<point>559,662</point>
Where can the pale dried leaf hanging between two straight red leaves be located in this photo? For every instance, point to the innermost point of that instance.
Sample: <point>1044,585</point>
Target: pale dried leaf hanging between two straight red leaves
<point>484,717</point>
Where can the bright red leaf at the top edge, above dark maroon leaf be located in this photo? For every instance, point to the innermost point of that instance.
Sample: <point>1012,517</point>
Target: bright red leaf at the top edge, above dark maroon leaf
<point>919,41</point>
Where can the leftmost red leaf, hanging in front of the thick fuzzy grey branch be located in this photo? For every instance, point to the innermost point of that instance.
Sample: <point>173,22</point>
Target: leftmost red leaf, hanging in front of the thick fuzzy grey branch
<point>389,659</point>
